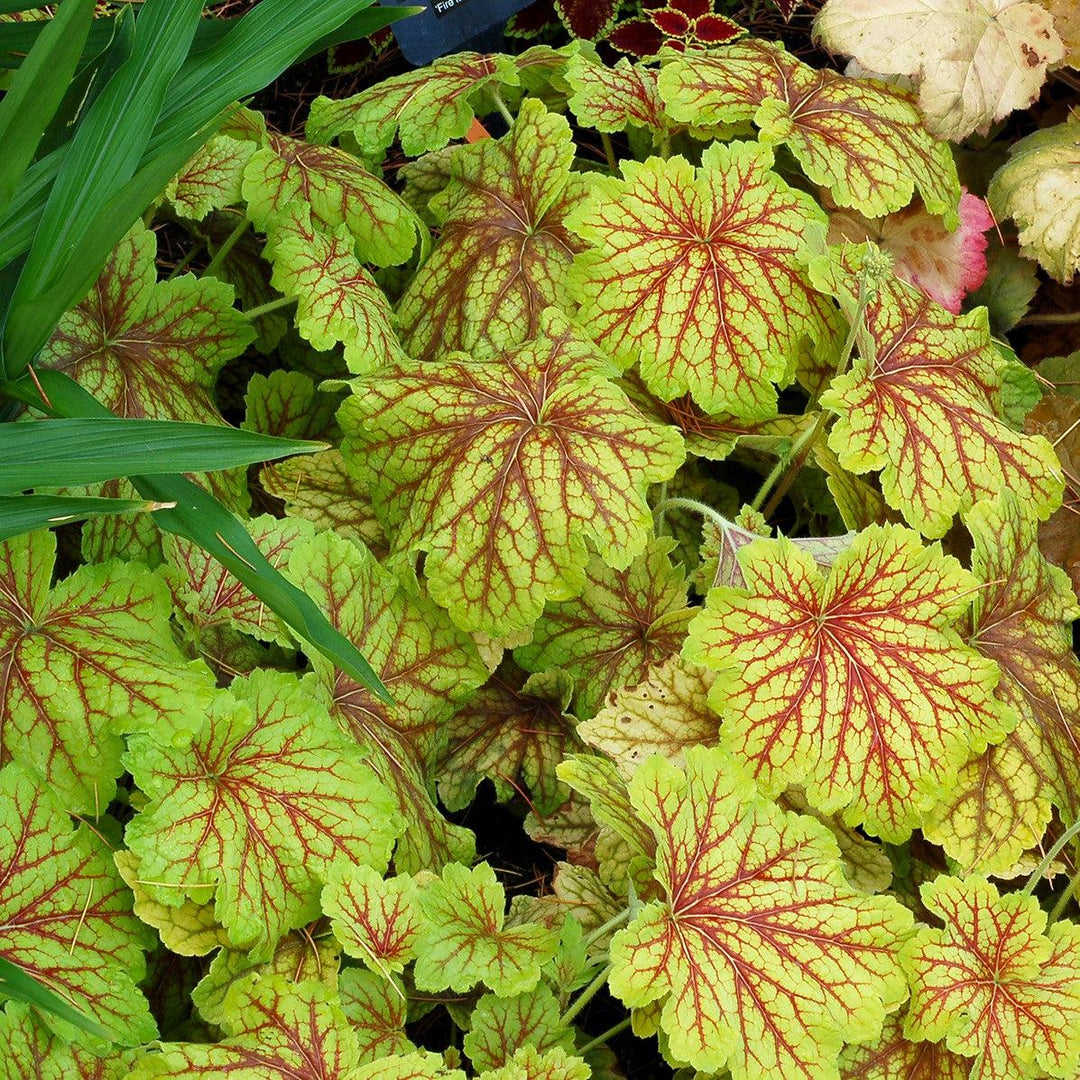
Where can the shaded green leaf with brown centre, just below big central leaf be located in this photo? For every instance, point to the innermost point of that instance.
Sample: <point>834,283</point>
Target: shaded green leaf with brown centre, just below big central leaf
<point>624,622</point>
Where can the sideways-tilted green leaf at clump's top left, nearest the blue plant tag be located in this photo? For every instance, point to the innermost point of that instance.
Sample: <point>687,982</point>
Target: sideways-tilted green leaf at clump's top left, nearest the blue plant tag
<point>425,110</point>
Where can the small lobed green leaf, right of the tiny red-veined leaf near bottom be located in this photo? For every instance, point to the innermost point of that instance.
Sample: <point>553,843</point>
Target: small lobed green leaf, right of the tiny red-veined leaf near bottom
<point>465,941</point>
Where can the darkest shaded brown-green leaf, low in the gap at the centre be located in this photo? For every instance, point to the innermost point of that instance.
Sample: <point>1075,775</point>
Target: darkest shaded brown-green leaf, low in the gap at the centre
<point>515,731</point>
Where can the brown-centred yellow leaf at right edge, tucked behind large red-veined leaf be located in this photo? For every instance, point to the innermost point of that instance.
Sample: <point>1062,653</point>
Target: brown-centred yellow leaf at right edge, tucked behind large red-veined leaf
<point>1002,802</point>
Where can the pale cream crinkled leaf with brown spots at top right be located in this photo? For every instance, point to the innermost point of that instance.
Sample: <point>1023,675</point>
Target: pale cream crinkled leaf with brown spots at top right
<point>975,61</point>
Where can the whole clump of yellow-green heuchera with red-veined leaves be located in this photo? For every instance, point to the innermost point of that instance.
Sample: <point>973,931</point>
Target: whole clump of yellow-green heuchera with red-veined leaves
<point>678,489</point>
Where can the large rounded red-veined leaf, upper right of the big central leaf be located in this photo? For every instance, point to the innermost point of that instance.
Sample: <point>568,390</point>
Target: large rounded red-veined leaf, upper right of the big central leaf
<point>698,275</point>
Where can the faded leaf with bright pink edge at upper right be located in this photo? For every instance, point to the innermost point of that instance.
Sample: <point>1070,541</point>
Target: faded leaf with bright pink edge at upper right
<point>947,266</point>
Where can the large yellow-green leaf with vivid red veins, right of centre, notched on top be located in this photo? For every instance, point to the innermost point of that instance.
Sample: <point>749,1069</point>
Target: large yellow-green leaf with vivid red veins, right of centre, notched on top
<point>857,684</point>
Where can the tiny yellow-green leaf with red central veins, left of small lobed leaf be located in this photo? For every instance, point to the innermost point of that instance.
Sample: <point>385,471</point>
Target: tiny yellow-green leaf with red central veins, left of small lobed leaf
<point>376,921</point>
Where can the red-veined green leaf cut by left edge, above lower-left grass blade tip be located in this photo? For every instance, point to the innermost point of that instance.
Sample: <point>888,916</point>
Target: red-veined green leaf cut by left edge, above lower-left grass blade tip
<point>65,915</point>
